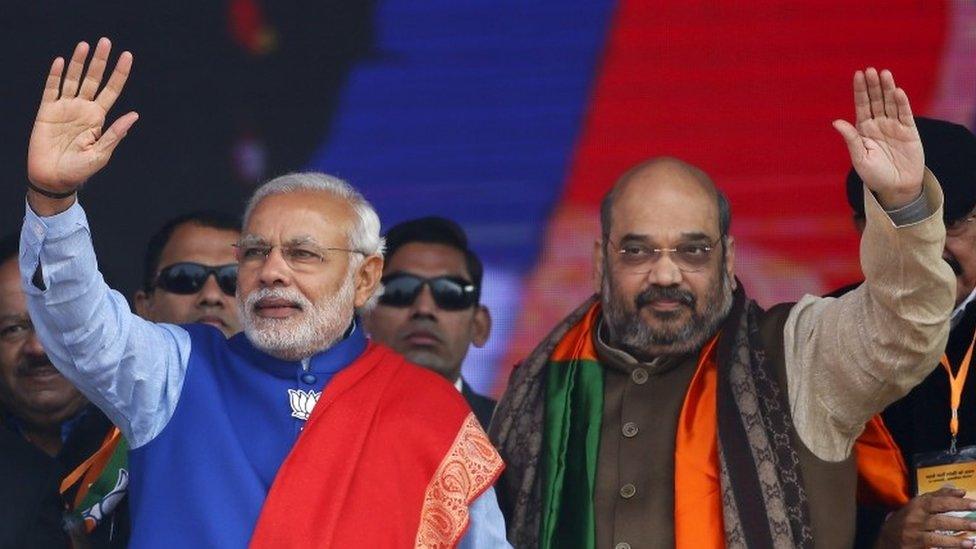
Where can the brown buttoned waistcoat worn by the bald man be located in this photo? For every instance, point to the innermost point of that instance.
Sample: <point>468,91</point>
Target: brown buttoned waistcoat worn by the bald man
<point>635,488</point>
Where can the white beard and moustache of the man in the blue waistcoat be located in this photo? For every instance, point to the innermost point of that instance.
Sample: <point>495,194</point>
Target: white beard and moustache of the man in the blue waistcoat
<point>318,327</point>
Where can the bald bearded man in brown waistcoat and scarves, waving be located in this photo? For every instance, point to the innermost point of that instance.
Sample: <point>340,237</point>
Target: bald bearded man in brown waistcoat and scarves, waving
<point>674,412</point>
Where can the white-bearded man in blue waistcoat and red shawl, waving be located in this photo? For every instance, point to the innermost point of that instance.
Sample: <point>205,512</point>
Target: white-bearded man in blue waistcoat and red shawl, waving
<point>228,444</point>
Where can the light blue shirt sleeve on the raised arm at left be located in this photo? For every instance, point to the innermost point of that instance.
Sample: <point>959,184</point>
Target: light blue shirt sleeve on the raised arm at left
<point>130,368</point>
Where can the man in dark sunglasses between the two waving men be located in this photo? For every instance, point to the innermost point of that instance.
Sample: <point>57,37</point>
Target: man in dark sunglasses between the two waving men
<point>430,310</point>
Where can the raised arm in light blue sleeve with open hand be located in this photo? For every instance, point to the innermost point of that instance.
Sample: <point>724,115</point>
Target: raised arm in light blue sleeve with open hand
<point>130,368</point>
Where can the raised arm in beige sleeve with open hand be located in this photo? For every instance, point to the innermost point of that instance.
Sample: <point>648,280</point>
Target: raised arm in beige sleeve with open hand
<point>848,358</point>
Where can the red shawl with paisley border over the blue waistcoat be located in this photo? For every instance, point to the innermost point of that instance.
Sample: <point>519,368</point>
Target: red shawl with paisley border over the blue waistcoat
<point>391,457</point>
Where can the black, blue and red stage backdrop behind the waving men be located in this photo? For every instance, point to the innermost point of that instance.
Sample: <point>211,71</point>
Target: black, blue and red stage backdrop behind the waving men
<point>511,117</point>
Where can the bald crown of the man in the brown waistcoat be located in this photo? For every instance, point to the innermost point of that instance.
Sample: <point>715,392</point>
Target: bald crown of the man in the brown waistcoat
<point>664,182</point>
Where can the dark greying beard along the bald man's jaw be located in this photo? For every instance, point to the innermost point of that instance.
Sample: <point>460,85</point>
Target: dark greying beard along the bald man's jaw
<point>628,332</point>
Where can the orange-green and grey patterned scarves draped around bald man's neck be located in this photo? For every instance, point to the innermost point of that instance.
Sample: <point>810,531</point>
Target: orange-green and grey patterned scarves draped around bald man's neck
<point>737,473</point>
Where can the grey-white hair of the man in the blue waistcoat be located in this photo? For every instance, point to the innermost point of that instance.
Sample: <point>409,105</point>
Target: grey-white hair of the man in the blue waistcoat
<point>365,234</point>
